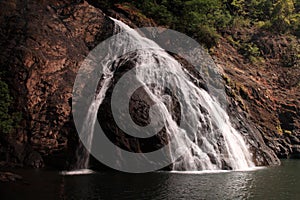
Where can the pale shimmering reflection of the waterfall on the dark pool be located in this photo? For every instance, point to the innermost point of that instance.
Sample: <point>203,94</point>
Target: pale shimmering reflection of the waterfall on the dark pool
<point>231,185</point>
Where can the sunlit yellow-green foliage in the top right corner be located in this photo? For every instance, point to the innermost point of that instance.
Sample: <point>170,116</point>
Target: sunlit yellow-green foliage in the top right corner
<point>280,16</point>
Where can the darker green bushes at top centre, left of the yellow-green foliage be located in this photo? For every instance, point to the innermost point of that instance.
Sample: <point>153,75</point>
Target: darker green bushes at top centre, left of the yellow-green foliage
<point>198,18</point>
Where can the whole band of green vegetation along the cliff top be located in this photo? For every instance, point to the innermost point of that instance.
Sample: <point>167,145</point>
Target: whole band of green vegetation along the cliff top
<point>206,19</point>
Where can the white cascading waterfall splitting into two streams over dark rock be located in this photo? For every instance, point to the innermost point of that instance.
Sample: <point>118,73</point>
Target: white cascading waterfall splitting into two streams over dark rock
<point>200,152</point>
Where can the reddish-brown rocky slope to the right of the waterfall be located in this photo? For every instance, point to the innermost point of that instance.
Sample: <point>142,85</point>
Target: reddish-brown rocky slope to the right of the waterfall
<point>267,91</point>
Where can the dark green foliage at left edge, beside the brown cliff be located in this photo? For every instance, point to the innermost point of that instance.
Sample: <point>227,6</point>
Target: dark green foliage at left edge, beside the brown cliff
<point>8,120</point>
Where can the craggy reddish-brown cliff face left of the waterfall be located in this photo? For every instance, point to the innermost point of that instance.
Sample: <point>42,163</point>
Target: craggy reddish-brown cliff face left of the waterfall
<point>42,46</point>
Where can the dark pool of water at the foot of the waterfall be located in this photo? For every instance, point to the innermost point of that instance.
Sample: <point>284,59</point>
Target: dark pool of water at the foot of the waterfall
<point>270,183</point>
